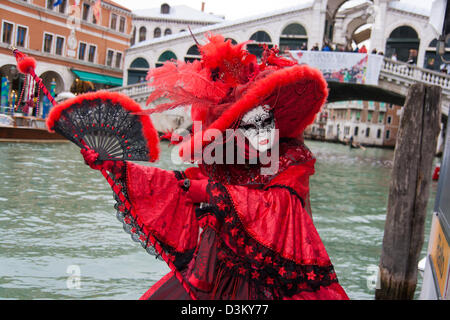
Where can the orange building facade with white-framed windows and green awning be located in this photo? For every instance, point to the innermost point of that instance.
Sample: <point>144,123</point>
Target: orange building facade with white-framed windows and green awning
<point>78,44</point>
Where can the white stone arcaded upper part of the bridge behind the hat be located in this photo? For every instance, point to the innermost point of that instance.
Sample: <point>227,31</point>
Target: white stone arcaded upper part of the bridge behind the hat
<point>395,27</point>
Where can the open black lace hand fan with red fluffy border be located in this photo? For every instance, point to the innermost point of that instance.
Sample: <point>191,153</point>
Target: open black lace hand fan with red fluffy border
<point>107,123</point>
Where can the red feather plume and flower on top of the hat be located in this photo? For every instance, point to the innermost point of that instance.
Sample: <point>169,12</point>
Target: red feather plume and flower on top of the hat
<point>205,85</point>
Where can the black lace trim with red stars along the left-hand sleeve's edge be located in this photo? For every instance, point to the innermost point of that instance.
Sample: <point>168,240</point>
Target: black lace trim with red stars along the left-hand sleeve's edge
<point>130,225</point>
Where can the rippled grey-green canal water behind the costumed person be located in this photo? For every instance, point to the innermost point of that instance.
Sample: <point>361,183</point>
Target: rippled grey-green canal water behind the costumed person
<point>60,239</point>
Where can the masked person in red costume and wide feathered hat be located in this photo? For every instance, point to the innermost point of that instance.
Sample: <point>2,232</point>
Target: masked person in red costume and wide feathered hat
<point>237,226</point>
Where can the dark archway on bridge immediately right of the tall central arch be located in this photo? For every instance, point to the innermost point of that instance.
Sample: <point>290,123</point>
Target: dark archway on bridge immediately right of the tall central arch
<point>404,42</point>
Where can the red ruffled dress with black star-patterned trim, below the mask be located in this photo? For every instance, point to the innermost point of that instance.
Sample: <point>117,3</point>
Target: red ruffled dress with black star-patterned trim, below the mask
<point>254,239</point>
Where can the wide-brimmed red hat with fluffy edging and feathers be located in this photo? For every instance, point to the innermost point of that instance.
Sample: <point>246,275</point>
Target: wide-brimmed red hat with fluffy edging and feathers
<point>228,82</point>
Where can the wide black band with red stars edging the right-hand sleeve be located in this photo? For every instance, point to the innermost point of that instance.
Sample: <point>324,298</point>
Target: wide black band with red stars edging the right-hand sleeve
<point>273,276</point>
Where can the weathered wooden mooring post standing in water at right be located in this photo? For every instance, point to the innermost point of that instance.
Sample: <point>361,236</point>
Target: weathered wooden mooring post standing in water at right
<point>409,192</point>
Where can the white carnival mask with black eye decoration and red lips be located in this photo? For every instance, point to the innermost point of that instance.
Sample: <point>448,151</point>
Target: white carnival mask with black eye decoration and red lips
<point>258,126</point>
